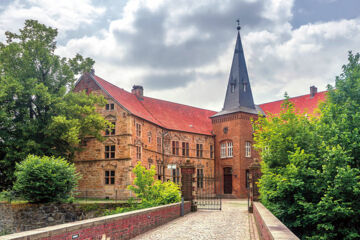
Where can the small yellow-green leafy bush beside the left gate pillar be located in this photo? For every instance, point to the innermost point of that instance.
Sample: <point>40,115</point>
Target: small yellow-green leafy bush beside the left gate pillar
<point>151,192</point>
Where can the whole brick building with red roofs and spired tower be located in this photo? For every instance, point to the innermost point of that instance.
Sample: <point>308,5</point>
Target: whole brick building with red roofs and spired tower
<point>166,135</point>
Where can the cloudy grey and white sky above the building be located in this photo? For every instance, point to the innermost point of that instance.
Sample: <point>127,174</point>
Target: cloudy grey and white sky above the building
<point>181,50</point>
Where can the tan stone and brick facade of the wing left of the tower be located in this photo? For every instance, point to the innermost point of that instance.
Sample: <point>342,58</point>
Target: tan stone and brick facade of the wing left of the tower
<point>91,162</point>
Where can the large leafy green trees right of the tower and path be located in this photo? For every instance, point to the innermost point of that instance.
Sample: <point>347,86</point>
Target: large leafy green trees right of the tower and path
<point>311,175</point>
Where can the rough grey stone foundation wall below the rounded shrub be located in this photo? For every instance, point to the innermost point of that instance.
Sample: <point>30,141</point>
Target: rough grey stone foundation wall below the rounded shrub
<point>23,217</point>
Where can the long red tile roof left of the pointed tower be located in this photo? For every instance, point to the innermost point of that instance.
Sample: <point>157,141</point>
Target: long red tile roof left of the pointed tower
<point>166,114</point>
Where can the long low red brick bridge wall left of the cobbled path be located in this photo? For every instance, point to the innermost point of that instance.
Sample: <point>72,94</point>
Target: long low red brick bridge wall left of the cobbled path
<point>118,226</point>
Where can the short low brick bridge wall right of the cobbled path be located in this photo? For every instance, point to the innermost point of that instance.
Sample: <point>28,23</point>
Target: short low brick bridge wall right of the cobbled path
<point>269,227</point>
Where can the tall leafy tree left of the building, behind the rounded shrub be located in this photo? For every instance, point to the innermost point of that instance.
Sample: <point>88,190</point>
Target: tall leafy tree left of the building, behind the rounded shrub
<point>38,112</point>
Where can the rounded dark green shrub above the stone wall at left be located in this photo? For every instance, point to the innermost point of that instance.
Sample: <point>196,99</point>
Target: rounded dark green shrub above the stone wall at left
<point>45,179</point>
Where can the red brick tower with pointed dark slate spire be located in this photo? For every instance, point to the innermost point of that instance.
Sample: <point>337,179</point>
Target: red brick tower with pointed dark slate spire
<point>233,129</point>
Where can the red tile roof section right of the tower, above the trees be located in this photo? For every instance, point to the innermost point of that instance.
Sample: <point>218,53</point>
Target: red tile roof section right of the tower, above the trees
<point>304,104</point>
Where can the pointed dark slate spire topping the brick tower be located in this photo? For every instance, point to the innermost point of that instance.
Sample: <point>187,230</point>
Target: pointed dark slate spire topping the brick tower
<point>238,94</point>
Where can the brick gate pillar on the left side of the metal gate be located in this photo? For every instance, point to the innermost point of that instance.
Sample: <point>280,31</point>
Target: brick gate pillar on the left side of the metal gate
<point>188,183</point>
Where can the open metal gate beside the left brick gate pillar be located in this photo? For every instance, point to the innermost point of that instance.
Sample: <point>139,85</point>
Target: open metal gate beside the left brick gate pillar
<point>205,195</point>
